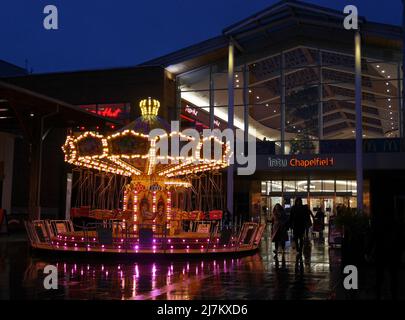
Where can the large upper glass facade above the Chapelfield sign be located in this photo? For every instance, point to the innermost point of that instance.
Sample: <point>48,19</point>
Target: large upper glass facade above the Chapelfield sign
<point>303,94</point>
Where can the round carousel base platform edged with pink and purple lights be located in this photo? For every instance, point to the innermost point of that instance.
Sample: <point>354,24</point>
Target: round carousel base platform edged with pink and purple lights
<point>60,236</point>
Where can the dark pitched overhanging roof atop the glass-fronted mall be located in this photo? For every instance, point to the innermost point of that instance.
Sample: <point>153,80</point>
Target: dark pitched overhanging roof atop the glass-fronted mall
<point>278,24</point>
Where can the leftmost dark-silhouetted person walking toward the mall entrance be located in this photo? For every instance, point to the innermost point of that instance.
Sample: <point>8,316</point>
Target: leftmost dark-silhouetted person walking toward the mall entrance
<point>279,228</point>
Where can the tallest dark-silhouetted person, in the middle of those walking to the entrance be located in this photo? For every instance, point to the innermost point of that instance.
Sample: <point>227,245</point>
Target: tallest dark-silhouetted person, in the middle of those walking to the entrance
<point>299,218</point>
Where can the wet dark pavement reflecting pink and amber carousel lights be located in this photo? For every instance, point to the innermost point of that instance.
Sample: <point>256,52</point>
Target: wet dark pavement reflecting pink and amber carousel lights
<point>258,276</point>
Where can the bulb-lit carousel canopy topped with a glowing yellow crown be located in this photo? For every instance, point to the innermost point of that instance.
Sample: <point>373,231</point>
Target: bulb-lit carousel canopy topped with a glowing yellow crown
<point>132,152</point>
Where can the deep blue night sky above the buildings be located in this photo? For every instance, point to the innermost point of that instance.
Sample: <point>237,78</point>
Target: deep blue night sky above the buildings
<point>105,33</point>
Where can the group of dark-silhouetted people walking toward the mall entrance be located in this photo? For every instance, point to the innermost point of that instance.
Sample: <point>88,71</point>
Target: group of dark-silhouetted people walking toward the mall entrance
<point>299,222</point>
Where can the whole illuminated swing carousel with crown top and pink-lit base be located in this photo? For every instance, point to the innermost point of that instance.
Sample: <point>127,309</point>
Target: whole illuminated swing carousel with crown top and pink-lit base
<point>142,190</point>
